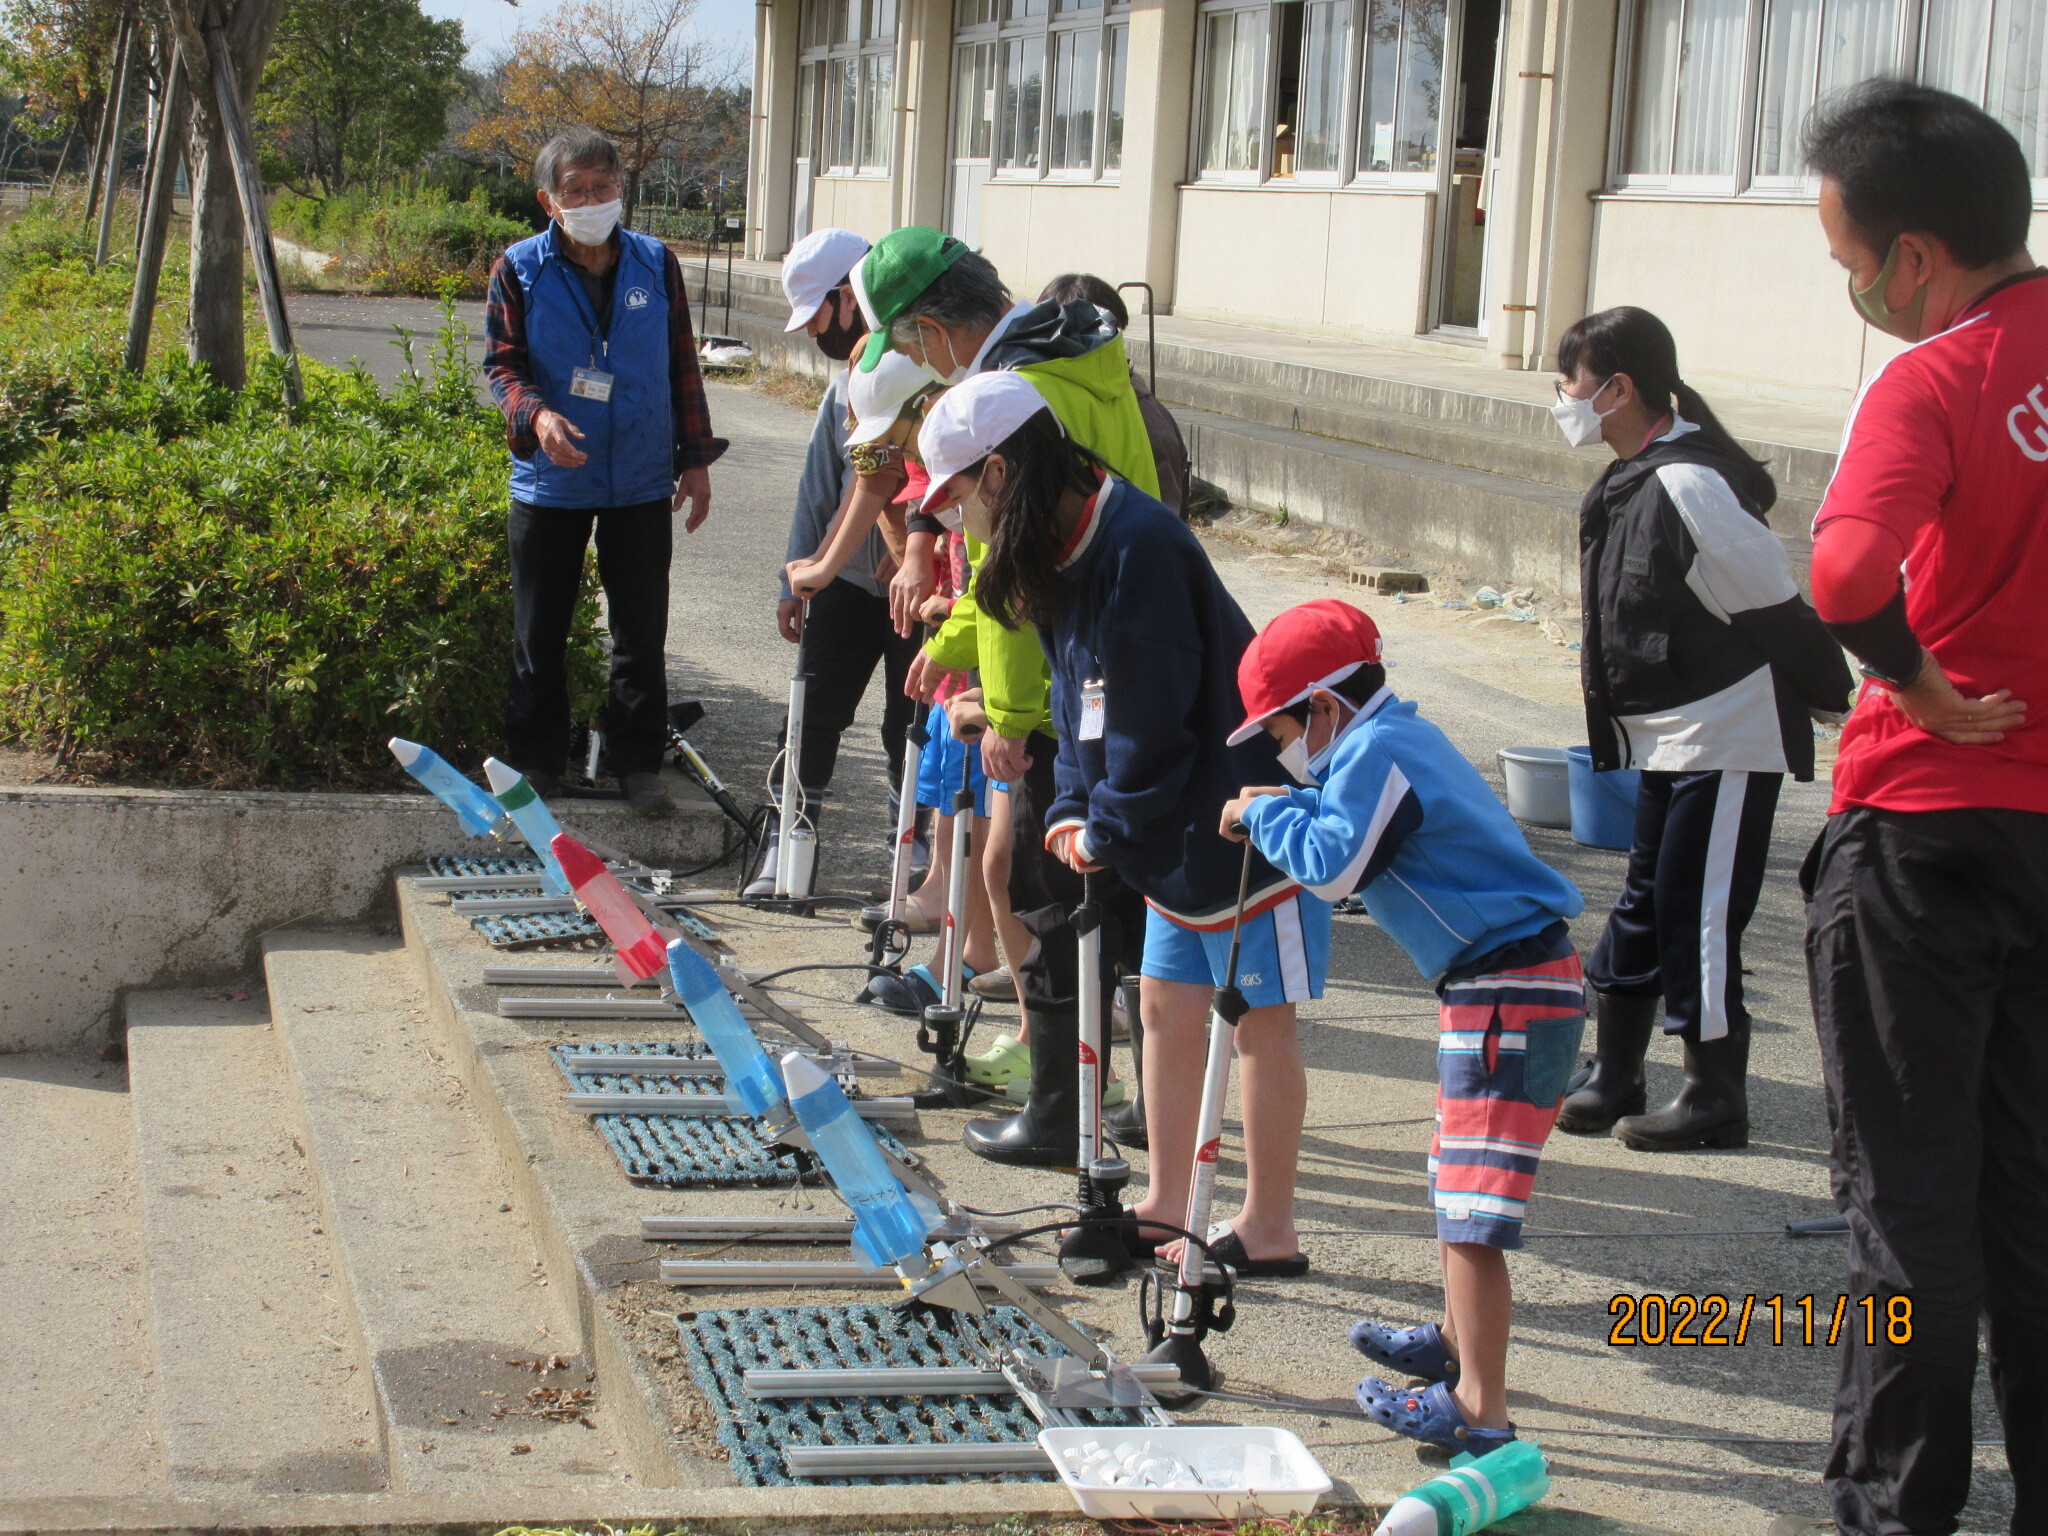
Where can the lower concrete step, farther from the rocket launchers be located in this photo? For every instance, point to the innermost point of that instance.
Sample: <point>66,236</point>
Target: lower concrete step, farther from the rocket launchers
<point>261,1383</point>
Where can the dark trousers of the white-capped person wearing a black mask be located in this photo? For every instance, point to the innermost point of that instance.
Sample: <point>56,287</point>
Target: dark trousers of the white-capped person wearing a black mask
<point>845,638</point>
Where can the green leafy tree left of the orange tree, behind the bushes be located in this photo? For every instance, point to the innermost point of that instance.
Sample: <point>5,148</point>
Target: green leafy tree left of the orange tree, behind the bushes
<point>357,89</point>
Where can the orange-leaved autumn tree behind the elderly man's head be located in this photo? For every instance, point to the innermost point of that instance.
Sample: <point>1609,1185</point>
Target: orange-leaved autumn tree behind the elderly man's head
<point>636,71</point>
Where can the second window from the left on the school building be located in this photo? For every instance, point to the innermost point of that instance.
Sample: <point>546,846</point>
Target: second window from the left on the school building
<point>1107,19</point>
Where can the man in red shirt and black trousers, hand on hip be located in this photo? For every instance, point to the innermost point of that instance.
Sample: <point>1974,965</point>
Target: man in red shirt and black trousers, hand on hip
<point>1928,894</point>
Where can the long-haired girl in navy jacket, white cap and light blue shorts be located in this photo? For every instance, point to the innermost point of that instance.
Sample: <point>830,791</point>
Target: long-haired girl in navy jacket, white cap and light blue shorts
<point>1144,642</point>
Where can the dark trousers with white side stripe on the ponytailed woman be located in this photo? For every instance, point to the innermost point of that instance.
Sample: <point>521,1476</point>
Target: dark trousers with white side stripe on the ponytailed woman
<point>1693,886</point>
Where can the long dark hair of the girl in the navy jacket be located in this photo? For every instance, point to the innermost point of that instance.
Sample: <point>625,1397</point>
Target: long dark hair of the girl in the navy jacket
<point>1019,581</point>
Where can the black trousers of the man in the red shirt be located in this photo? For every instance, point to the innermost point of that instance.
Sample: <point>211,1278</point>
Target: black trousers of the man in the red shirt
<point>1928,955</point>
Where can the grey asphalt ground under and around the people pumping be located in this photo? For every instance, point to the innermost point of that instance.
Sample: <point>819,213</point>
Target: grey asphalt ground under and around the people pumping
<point>1674,1439</point>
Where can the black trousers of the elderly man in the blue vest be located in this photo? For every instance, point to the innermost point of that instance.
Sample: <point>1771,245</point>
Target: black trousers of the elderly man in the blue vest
<point>548,572</point>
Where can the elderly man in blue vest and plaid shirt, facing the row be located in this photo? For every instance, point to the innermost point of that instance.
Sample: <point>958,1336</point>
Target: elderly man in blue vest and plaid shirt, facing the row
<point>591,357</point>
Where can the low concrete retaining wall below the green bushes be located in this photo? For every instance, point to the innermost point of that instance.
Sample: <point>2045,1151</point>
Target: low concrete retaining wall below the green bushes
<point>114,890</point>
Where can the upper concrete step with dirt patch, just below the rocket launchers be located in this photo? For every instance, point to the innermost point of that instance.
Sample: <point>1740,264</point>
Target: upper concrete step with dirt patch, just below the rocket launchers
<point>441,1273</point>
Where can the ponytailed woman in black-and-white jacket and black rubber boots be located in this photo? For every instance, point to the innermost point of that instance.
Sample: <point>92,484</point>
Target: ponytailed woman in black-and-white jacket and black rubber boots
<point>1703,667</point>
